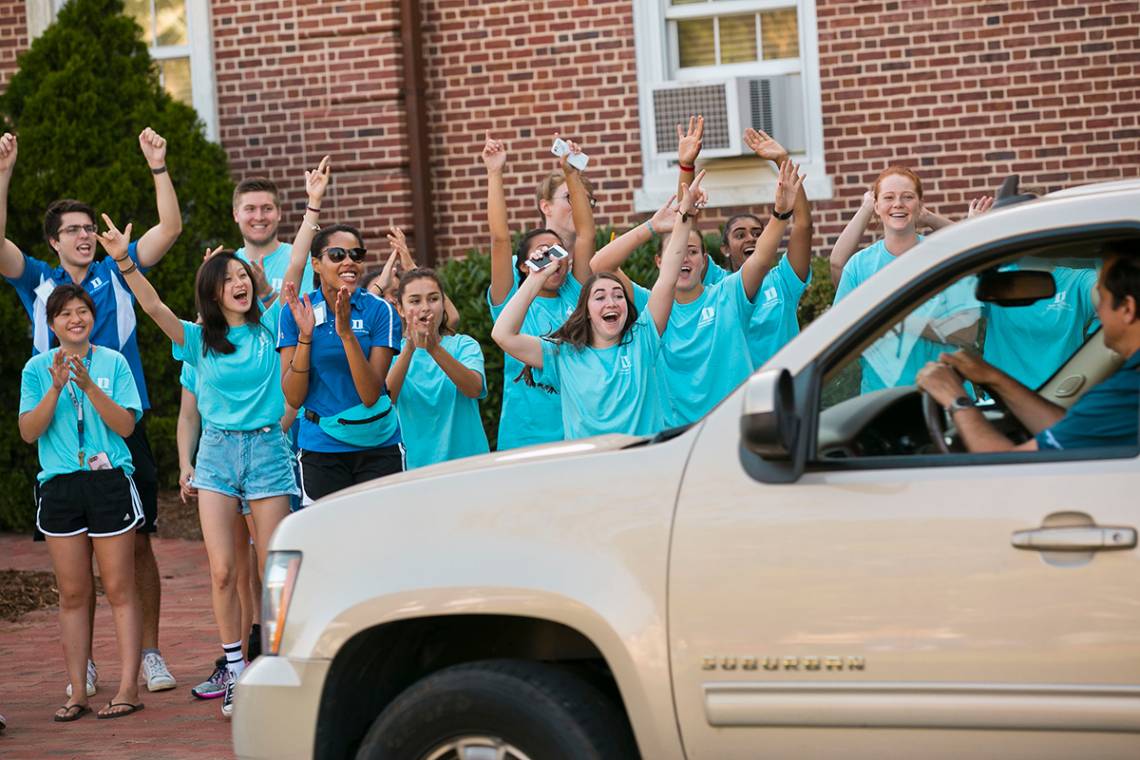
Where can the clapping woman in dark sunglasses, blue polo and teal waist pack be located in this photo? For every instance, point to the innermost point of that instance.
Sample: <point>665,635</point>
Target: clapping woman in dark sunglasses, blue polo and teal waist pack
<point>337,346</point>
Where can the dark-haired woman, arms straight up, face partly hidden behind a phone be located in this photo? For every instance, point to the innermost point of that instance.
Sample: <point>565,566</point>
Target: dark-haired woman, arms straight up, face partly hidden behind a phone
<point>532,414</point>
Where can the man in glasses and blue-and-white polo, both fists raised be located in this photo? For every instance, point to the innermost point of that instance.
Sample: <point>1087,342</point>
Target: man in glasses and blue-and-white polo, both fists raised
<point>69,227</point>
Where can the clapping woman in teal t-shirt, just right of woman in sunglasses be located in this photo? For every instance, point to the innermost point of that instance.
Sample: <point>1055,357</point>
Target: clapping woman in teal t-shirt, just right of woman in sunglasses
<point>438,379</point>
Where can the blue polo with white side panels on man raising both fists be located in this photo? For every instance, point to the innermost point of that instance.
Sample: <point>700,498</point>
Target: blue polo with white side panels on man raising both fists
<point>116,326</point>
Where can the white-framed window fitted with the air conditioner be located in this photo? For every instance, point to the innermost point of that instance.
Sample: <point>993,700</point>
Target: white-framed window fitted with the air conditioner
<point>730,42</point>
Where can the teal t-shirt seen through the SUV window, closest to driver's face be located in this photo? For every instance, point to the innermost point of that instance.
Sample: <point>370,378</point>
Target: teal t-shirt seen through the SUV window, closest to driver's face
<point>1030,344</point>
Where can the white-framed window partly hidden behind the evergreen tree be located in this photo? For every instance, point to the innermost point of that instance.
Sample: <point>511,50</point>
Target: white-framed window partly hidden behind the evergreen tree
<point>178,36</point>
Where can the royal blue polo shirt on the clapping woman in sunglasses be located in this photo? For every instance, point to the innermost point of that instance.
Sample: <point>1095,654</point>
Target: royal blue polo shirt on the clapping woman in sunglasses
<point>376,324</point>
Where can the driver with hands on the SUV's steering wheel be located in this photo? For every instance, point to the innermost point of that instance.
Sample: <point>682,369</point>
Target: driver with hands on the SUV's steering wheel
<point>1109,415</point>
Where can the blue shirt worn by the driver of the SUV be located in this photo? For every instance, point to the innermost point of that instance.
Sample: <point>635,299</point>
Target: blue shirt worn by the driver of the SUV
<point>1108,415</point>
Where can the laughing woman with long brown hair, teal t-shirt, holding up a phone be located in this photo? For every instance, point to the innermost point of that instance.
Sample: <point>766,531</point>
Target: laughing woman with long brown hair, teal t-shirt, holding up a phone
<point>604,362</point>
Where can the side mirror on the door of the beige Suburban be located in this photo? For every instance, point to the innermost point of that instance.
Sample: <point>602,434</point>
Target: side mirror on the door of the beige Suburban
<point>769,424</point>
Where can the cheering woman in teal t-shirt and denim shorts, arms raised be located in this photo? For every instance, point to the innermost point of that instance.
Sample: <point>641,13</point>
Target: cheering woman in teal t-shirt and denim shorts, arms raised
<point>243,453</point>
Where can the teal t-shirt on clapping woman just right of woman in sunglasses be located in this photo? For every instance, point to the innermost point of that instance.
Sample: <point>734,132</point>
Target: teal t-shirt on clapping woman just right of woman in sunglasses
<point>439,423</point>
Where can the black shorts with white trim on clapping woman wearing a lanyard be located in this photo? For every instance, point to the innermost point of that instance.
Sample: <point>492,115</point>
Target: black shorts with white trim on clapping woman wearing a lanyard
<point>100,503</point>
